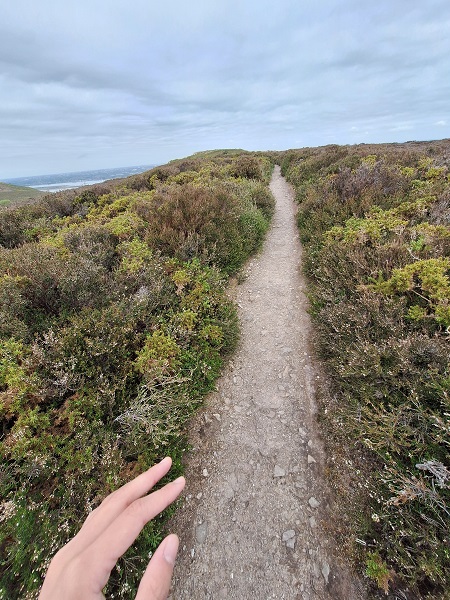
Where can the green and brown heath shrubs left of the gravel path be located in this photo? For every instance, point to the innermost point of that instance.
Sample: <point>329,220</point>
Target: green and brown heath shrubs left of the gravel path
<point>114,323</point>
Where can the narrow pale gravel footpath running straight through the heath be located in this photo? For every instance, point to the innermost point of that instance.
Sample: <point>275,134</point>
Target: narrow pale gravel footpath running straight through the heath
<point>253,522</point>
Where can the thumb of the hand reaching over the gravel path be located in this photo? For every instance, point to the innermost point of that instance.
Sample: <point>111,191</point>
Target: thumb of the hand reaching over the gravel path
<point>155,583</point>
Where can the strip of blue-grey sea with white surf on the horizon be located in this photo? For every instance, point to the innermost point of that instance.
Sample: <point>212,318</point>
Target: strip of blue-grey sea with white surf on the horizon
<point>68,181</point>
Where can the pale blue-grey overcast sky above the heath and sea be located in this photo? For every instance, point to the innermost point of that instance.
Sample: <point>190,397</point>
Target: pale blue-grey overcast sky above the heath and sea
<point>88,84</point>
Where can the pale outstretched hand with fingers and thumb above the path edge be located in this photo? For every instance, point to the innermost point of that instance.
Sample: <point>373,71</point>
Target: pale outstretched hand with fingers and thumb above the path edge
<point>81,569</point>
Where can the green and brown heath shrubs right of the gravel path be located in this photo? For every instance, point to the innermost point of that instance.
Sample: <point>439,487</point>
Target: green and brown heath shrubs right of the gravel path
<point>375,223</point>
